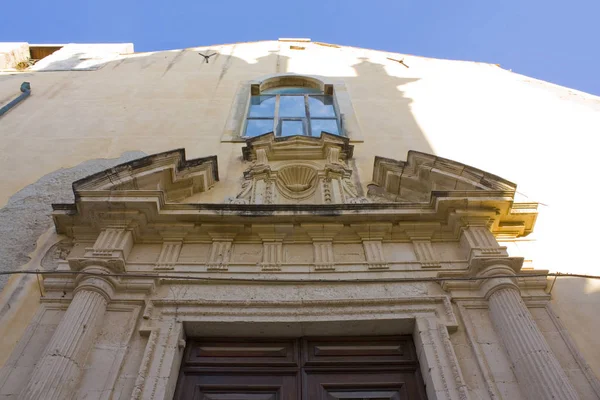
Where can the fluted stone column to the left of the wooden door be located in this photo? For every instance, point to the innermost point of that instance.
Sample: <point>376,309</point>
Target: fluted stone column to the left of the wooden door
<point>58,372</point>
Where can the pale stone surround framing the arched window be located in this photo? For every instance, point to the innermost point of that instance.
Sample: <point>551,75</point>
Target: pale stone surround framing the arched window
<point>234,126</point>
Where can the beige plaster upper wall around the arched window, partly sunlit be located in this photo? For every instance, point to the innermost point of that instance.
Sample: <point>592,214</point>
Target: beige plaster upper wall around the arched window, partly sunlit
<point>534,133</point>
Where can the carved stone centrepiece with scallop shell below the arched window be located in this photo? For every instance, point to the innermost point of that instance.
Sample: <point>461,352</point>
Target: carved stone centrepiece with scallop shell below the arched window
<point>298,170</point>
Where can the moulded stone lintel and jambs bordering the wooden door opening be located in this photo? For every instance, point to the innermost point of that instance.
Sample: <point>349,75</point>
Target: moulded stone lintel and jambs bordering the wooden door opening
<point>432,317</point>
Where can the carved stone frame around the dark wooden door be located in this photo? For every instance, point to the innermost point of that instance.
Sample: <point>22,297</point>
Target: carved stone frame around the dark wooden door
<point>427,319</point>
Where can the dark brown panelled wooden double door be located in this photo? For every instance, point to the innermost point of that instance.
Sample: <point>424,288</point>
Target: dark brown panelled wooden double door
<point>348,368</point>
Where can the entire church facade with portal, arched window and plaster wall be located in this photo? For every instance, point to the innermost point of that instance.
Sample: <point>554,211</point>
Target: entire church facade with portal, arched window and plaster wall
<point>288,220</point>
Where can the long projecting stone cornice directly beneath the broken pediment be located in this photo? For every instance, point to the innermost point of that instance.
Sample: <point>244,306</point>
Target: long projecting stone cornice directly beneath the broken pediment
<point>442,214</point>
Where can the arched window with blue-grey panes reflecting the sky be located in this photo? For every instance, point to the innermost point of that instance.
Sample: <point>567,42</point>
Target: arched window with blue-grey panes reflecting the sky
<point>291,106</point>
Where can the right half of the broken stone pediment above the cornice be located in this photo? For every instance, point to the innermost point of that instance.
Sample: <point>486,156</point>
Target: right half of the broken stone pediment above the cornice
<point>414,180</point>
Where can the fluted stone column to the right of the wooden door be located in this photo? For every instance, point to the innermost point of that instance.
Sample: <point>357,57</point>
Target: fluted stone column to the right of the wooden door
<point>535,365</point>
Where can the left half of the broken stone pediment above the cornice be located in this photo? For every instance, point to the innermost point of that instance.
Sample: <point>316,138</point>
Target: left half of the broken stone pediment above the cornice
<point>167,172</point>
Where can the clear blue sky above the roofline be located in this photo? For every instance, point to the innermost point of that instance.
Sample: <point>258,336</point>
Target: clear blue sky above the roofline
<point>557,41</point>
